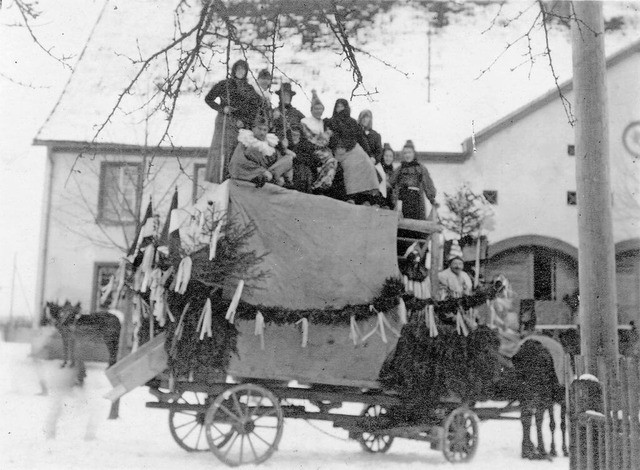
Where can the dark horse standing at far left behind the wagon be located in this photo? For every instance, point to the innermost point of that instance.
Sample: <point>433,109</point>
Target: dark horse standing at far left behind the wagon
<point>101,326</point>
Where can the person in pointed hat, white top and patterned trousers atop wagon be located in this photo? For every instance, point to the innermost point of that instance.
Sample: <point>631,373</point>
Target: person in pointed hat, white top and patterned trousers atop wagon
<point>314,132</point>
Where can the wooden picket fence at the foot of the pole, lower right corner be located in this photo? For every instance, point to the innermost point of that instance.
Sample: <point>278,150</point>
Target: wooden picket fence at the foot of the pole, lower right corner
<point>604,416</point>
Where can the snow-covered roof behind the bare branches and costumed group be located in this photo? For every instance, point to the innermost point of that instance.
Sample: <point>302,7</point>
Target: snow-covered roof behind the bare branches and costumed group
<point>462,98</point>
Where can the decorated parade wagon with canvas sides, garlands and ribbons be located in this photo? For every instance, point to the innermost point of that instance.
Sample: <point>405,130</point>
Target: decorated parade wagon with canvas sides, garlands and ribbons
<point>316,316</point>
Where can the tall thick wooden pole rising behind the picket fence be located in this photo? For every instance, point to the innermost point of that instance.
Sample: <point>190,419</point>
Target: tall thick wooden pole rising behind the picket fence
<point>595,233</point>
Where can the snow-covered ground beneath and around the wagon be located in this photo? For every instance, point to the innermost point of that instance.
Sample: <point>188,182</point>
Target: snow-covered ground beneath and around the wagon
<point>140,438</point>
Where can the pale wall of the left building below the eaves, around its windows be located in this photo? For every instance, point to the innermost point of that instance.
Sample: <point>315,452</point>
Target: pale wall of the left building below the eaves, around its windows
<point>75,242</point>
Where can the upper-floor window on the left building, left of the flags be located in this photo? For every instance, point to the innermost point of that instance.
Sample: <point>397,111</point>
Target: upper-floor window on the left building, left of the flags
<point>119,197</point>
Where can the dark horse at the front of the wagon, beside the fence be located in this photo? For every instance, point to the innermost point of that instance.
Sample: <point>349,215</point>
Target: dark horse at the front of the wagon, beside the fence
<point>535,384</point>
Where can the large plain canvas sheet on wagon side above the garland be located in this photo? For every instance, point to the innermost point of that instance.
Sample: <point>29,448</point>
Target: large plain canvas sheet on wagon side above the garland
<point>320,252</point>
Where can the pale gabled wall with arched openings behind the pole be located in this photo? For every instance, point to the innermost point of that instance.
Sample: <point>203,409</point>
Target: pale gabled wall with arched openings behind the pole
<point>528,163</point>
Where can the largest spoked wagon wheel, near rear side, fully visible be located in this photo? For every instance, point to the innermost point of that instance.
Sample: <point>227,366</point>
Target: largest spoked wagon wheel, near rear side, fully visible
<point>252,416</point>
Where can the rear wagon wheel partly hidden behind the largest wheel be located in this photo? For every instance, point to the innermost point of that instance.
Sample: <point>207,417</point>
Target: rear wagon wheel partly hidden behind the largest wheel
<point>187,426</point>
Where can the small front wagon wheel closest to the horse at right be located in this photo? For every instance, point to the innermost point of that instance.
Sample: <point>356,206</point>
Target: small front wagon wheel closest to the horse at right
<point>460,439</point>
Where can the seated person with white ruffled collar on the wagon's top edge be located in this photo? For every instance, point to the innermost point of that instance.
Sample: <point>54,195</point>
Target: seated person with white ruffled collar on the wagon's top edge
<point>256,158</point>
